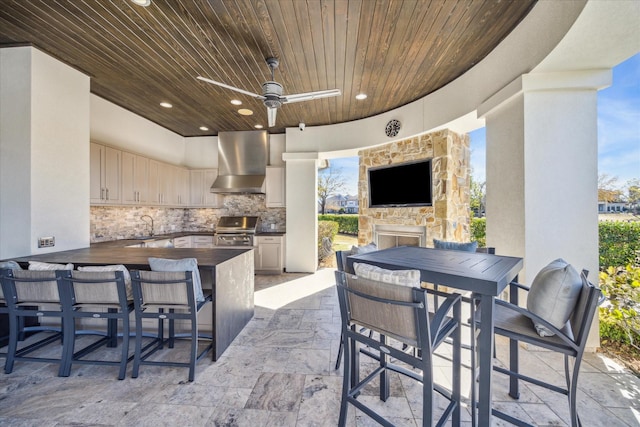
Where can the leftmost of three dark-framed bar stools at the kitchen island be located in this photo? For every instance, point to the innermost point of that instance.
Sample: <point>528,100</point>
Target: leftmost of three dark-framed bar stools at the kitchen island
<point>34,294</point>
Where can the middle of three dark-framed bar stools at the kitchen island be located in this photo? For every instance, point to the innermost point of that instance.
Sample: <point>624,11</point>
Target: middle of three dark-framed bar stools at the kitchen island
<point>96,295</point>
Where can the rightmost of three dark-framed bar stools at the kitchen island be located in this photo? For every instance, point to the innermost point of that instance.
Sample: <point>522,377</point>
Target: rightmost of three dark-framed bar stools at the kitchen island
<point>166,296</point>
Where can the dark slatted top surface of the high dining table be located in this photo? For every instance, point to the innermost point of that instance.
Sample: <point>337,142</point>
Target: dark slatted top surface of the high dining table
<point>470,271</point>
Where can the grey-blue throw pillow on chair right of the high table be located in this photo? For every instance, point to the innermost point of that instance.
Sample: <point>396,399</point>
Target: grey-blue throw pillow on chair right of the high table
<point>553,294</point>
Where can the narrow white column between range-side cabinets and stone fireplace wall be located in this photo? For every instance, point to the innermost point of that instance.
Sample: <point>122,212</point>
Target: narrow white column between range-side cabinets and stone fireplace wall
<point>302,212</point>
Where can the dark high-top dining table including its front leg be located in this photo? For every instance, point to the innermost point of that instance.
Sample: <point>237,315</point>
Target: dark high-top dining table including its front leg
<point>484,274</point>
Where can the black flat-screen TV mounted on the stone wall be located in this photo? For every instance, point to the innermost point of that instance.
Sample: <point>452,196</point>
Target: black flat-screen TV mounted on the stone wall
<point>402,184</point>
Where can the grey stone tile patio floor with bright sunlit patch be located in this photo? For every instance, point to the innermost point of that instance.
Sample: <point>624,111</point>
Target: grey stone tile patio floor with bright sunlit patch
<point>280,372</point>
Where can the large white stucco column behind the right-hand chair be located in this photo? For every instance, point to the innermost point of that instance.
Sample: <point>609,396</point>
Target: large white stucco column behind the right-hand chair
<point>542,170</point>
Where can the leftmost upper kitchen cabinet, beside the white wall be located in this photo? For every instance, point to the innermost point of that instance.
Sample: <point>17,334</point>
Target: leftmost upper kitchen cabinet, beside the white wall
<point>104,164</point>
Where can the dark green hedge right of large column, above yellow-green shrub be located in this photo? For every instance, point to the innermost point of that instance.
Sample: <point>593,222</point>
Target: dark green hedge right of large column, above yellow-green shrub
<point>619,243</point>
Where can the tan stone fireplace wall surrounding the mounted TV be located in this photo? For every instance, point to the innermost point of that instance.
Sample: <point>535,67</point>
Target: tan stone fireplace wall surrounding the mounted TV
<point>449,216</point>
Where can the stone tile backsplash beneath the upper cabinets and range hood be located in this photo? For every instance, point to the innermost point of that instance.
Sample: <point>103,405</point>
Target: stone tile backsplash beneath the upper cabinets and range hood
<point>123,222</point>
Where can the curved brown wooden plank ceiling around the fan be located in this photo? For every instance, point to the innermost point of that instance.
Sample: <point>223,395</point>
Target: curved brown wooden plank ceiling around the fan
<point>394,51</point>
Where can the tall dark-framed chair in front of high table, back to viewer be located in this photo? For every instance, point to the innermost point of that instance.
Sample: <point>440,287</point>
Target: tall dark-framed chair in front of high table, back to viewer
<point>400,313</point>
